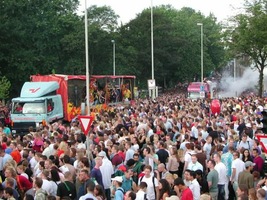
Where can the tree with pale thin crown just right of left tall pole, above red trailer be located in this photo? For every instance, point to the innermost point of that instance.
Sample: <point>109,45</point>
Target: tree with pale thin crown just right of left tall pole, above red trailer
<point>102,22</point>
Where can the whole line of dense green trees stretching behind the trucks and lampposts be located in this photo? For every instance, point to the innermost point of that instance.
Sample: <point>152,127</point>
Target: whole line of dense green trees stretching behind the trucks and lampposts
<point>38,37</point>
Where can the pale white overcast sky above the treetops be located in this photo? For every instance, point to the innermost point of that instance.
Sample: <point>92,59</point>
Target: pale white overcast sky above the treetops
<point>127,9</point>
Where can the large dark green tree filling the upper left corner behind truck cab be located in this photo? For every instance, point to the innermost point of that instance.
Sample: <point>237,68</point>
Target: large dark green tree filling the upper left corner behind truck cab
<point>31,37</point>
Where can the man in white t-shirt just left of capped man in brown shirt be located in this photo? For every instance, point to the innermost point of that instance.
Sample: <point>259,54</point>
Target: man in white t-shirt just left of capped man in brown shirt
<point>237,166</point>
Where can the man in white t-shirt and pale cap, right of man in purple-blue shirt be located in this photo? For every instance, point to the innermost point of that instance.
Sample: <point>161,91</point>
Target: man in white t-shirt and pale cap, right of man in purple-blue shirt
<point>106,170</point>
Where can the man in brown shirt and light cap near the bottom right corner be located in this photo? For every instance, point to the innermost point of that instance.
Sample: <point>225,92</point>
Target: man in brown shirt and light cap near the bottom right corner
<point>245,177</point>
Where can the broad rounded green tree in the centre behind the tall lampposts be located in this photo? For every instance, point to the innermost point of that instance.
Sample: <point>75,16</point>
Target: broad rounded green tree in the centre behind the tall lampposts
<point>176,45</point>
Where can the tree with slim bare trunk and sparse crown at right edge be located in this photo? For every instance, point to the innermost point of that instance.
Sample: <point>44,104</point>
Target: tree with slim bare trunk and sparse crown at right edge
<point>247,36</point>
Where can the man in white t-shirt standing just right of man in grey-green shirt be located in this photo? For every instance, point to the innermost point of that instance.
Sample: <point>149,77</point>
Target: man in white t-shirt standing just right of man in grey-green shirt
<point>221,169</point>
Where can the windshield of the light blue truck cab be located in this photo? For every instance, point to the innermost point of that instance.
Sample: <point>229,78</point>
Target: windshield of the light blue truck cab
<point>29,108</point>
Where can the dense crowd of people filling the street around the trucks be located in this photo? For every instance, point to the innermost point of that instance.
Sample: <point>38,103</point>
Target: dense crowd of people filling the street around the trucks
<point>163,149</point>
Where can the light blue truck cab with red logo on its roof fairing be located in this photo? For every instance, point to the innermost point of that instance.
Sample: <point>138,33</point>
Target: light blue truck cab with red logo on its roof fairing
<point>37,105</point>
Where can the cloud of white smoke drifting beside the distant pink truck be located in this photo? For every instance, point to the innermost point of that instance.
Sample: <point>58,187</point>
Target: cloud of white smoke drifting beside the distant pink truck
<point>233,88</point>
